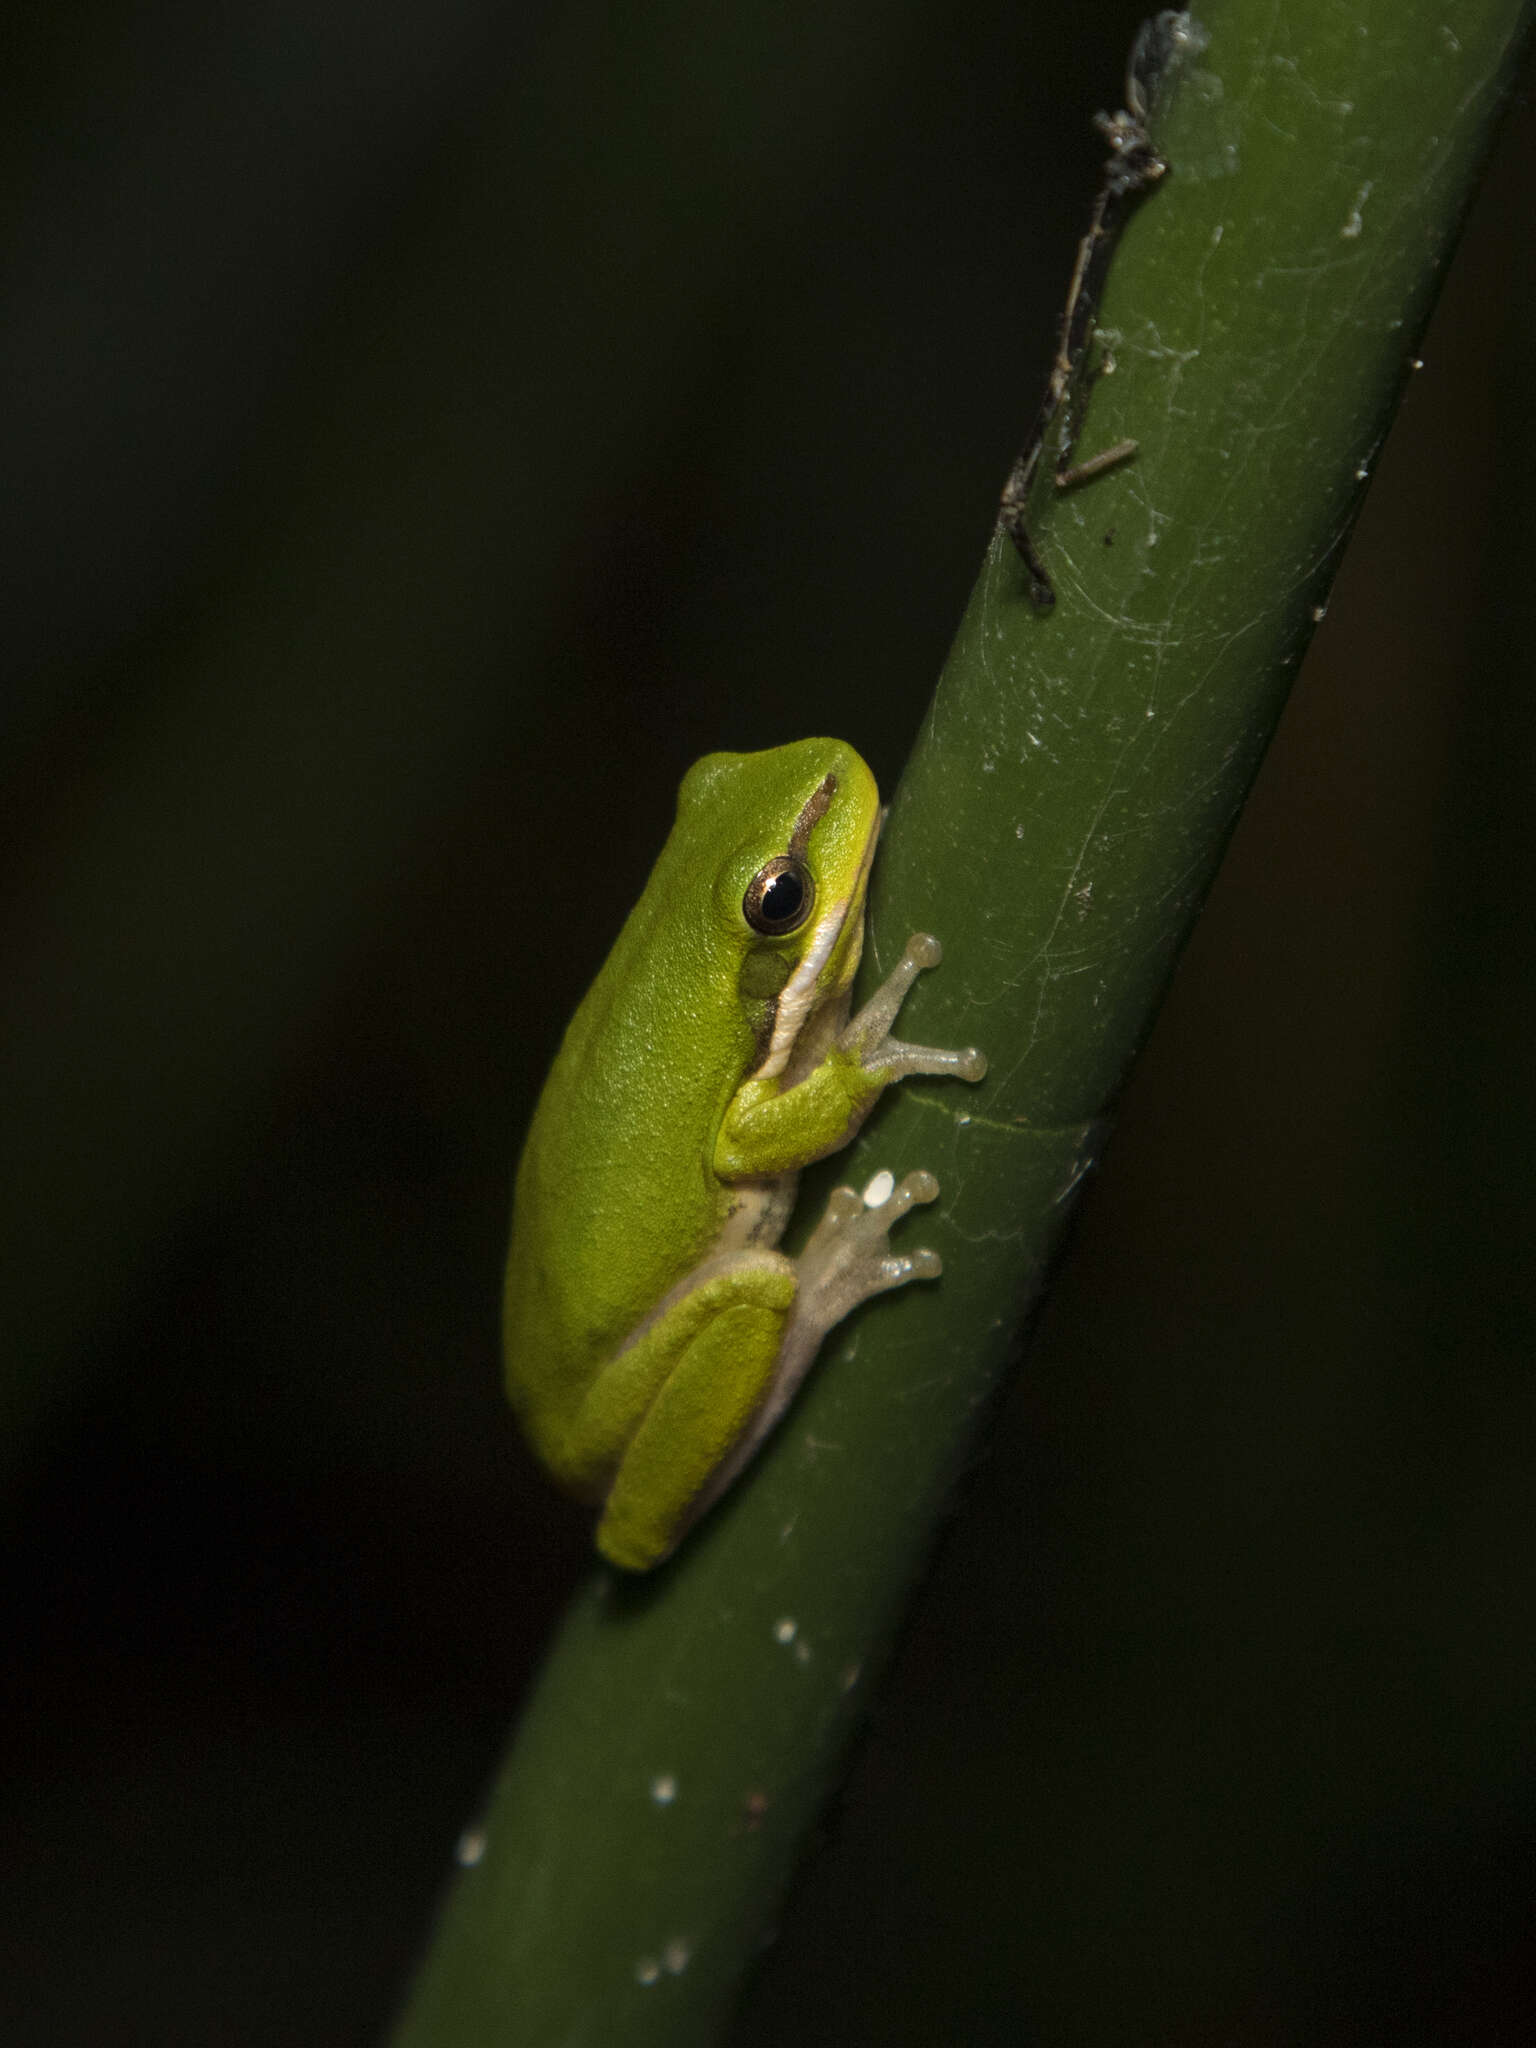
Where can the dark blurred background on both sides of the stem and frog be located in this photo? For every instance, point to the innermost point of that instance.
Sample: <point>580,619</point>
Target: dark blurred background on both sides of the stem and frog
<point>429,429</point>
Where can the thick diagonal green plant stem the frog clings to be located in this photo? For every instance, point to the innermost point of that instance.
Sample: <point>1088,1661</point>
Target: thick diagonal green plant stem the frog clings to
<point>1058,826</point>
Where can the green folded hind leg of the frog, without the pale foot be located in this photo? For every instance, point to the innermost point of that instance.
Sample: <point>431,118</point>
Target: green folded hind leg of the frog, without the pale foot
<point>720,1379</point>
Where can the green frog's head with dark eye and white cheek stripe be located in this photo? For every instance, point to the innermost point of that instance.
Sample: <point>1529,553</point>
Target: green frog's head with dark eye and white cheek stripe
<point>796,828</point>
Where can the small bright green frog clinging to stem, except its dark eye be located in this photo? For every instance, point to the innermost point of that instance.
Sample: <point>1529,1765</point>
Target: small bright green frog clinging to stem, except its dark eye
<point>652,1330</point>
